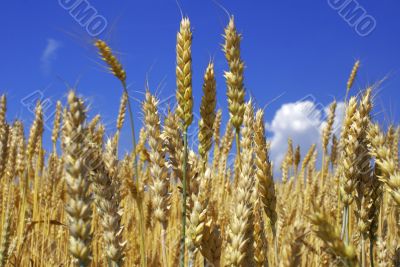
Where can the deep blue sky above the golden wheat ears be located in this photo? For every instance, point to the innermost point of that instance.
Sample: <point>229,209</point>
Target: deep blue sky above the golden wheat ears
<point>291,48</point>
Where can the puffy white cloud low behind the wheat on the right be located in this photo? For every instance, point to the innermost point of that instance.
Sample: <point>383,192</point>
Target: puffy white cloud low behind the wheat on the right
<point>303,122</point>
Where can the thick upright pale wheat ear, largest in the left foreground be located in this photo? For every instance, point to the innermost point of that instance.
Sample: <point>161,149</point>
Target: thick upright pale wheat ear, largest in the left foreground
<point>78,203</point>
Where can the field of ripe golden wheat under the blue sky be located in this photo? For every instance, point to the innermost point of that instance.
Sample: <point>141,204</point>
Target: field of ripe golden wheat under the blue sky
<point>167,203</point>
